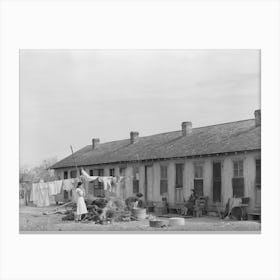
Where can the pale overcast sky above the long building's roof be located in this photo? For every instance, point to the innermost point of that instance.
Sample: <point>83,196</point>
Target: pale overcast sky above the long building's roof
<point>68,97</point>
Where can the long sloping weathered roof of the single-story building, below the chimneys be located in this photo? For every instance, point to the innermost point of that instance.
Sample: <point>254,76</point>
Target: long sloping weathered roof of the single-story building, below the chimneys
<point>220,138</point>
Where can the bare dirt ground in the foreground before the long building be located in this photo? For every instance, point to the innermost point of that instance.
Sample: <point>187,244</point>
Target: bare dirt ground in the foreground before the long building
<point>31,219</point>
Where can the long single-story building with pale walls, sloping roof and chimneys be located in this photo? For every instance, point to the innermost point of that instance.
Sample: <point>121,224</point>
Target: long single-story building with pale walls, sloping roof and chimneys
<point>218,161</point>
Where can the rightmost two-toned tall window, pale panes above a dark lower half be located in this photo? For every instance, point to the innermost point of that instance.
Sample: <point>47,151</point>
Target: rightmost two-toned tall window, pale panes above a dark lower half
<point>238,180</point>
